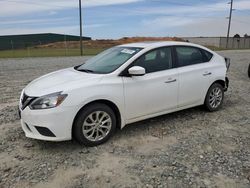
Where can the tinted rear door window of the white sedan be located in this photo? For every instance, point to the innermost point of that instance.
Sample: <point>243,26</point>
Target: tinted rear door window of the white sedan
<point>189,56</point>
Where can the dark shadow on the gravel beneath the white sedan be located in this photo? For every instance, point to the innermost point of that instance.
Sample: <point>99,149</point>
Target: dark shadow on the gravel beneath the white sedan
<point>138,128</point>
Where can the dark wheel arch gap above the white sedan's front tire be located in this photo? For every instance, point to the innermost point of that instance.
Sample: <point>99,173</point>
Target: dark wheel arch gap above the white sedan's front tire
<point>109,103</point>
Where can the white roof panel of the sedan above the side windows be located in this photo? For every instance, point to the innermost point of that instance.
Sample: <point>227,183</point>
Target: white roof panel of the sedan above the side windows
<point>152,44</point>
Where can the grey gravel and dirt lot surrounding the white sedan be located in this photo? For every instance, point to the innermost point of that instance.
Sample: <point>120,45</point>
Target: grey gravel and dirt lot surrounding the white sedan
<point>191,148</point>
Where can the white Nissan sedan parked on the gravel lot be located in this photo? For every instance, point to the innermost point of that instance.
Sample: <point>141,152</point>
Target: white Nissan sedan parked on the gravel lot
<point>122,85</point>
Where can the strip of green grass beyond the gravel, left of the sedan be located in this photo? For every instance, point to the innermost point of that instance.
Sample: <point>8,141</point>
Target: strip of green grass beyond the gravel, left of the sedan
<point>47,52</point>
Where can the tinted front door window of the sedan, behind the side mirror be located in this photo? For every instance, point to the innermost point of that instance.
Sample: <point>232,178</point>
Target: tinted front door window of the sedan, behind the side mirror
<point>156,60</point>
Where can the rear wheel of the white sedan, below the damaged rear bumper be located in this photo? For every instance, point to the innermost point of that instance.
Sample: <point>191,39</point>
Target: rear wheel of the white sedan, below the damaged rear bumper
<point>214,98</point>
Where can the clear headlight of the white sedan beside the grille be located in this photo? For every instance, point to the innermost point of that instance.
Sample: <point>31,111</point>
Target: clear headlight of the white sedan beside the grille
<point>48,101</point>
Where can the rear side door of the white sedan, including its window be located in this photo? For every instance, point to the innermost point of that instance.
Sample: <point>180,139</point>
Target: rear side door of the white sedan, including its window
<point>194,74</point>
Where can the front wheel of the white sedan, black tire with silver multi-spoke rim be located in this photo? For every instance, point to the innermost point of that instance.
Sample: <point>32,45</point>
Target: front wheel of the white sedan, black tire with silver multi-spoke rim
<point>94,124</point>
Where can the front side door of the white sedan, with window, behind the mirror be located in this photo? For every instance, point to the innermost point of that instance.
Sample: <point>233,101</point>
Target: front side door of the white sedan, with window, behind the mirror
<point>154,92</point>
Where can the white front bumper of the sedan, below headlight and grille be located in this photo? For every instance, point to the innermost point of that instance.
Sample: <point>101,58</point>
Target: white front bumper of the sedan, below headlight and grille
<point>50,124</point>
